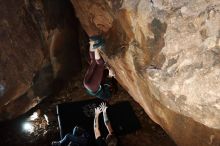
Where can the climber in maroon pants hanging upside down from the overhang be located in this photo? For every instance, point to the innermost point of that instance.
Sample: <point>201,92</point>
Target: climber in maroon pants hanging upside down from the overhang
<point>98,79</point>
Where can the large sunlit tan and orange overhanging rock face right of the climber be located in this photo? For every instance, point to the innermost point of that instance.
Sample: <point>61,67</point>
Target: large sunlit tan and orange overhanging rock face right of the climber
<point>166,54</point>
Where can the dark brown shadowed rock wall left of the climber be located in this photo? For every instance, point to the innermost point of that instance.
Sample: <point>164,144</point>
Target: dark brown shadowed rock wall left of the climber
<point>34,52</point>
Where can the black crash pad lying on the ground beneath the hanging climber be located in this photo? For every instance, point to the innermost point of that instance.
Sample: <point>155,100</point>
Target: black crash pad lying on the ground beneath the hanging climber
<point>121,115</point>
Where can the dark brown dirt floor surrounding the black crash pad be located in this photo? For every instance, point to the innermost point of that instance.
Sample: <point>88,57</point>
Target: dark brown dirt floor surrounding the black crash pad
<point>11,133</point>
